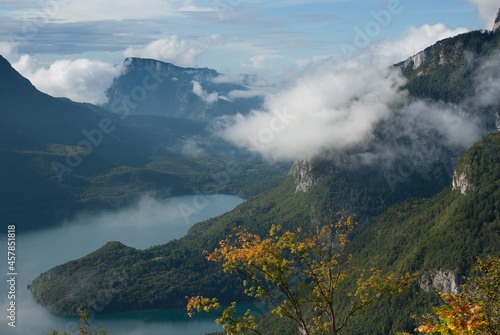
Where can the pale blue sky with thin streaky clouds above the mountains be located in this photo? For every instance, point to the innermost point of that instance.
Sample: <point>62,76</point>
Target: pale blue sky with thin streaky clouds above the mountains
<point>232,36</point>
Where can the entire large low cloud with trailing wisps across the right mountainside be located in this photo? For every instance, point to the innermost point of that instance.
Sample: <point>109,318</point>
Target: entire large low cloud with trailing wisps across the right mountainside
<point>338,107</point>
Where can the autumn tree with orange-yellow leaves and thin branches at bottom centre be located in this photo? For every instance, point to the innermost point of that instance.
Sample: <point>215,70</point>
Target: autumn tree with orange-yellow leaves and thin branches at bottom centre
<point>297,272</point>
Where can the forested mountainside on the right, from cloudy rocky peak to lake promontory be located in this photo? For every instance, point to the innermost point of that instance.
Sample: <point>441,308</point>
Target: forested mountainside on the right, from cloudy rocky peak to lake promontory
<point>424,168</point>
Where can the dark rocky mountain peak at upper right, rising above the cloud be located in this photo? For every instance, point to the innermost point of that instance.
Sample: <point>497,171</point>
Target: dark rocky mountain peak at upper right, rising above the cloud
<point>458,70</point>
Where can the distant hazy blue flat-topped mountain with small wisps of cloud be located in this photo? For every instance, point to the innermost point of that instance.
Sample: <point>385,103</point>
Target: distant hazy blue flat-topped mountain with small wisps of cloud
<point>151,87</point>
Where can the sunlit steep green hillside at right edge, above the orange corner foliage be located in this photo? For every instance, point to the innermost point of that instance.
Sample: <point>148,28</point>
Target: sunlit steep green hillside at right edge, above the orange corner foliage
<point>438,237</point>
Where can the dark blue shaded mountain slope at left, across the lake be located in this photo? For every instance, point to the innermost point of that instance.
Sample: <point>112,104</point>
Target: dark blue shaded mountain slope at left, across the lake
<point>59,157</point>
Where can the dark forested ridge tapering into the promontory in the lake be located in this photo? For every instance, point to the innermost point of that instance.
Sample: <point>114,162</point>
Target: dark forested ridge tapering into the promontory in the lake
<point>178,269</point>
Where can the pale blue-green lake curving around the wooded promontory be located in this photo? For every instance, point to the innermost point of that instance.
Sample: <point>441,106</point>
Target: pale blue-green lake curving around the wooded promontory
<point>149,222</point>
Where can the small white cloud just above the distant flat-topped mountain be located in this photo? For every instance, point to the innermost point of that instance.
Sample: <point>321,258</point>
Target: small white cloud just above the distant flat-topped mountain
<point>172,49</point>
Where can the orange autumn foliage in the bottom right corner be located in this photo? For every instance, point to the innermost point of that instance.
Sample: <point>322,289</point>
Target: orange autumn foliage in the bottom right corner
<point>475,310</point>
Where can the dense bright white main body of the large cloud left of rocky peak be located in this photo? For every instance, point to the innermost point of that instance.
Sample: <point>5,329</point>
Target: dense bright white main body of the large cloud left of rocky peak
<point>327,108</point>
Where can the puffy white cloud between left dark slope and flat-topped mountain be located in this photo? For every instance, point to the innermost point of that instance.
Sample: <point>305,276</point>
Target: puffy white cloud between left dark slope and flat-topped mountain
<point>81,80</point>
